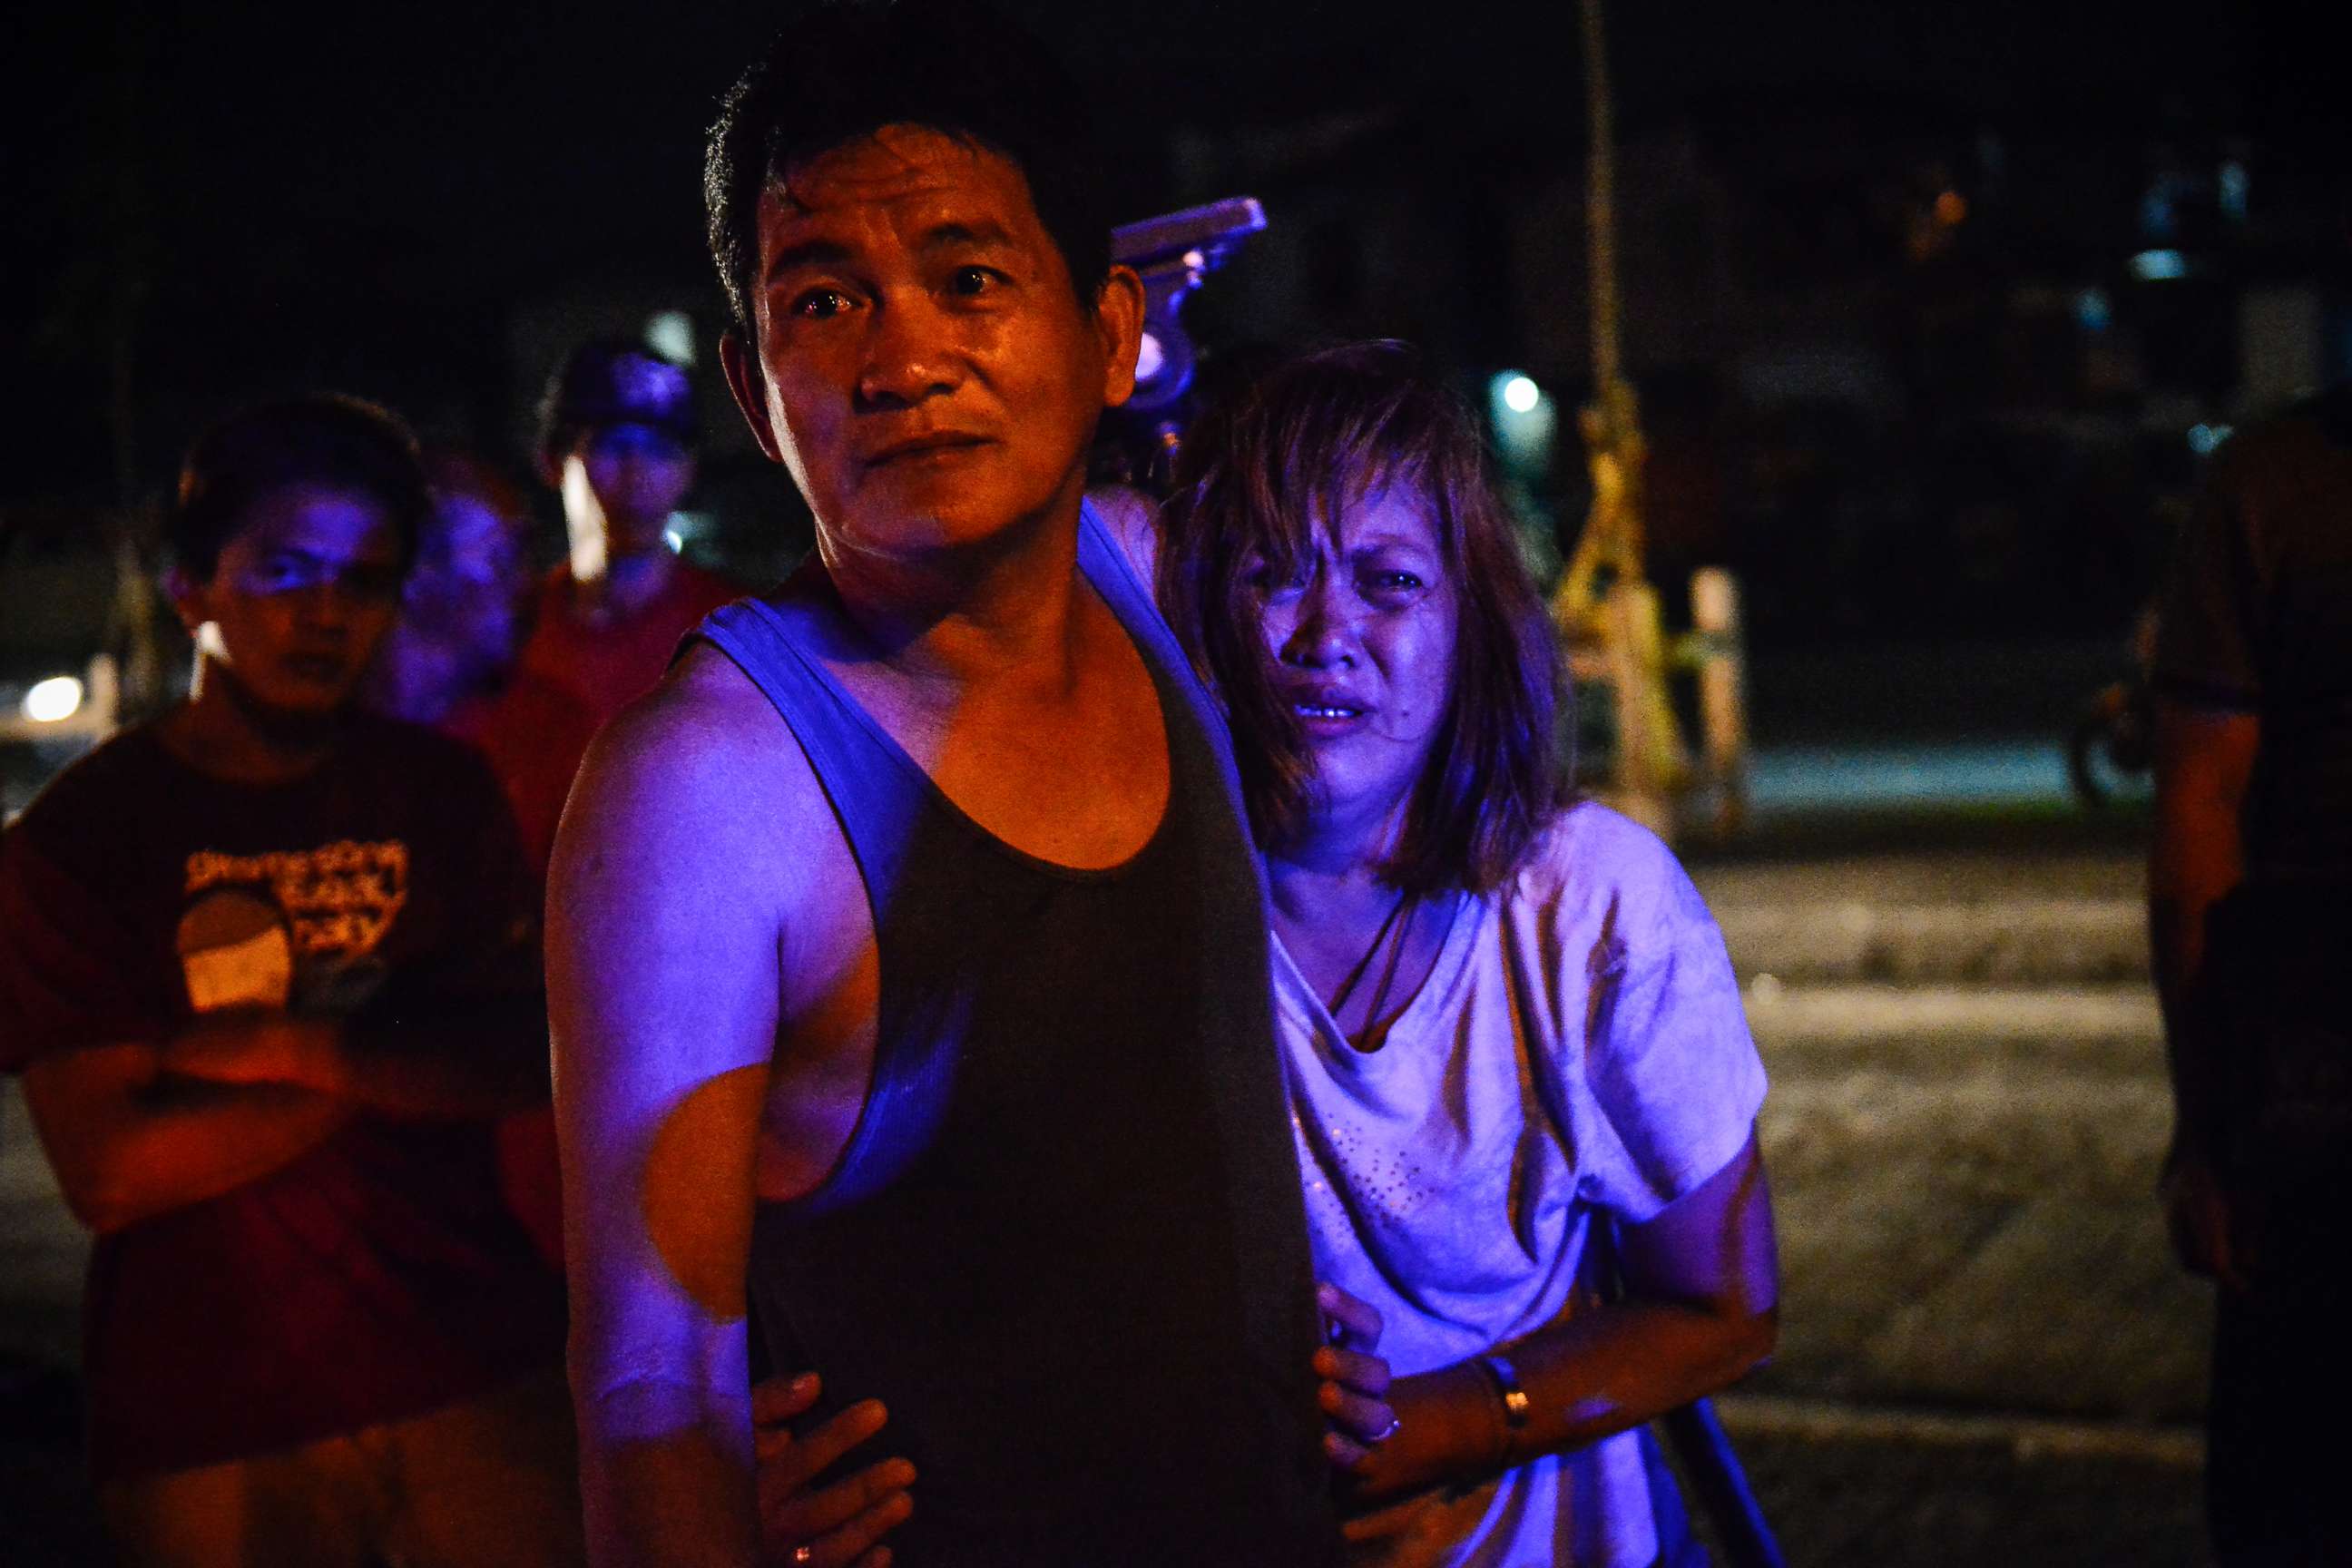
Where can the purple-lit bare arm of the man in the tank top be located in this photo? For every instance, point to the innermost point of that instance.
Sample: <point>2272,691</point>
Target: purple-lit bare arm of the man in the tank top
<point>664,1005</point>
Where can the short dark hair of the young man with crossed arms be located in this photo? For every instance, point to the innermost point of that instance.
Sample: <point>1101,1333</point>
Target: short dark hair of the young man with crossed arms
<point>321,438</point>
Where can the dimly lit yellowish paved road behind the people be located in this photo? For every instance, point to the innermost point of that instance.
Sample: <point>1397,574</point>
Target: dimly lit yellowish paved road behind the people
<point>1986,1353</point>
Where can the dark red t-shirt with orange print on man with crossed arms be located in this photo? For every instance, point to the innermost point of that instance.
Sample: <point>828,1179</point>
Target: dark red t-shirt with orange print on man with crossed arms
<point>377,1275</point>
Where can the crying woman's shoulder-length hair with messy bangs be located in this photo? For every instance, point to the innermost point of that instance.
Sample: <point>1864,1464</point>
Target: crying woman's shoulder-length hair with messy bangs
<point>1278,462</point>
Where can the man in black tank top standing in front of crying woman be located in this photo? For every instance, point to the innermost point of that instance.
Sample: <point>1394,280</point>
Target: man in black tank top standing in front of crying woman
<point>907,951</point>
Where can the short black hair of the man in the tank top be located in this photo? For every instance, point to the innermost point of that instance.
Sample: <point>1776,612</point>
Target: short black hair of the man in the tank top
<point>843,69</point>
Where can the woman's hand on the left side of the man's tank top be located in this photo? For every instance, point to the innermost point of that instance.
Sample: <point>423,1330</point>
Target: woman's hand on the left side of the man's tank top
<point>843,1522</point>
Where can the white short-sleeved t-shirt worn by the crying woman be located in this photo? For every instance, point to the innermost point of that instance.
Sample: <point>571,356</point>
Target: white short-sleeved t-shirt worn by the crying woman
<point>1577,1054</point>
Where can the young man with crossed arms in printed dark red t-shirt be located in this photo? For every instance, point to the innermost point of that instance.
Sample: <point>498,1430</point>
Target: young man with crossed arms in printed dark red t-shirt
<point>272,967</point>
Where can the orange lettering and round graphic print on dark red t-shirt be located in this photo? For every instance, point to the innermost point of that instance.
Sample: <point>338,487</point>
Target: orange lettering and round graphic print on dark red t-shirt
<point>290,927</point>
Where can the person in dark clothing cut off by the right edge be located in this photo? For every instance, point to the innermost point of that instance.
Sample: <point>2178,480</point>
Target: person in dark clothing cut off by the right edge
<point>2252,920</point>
